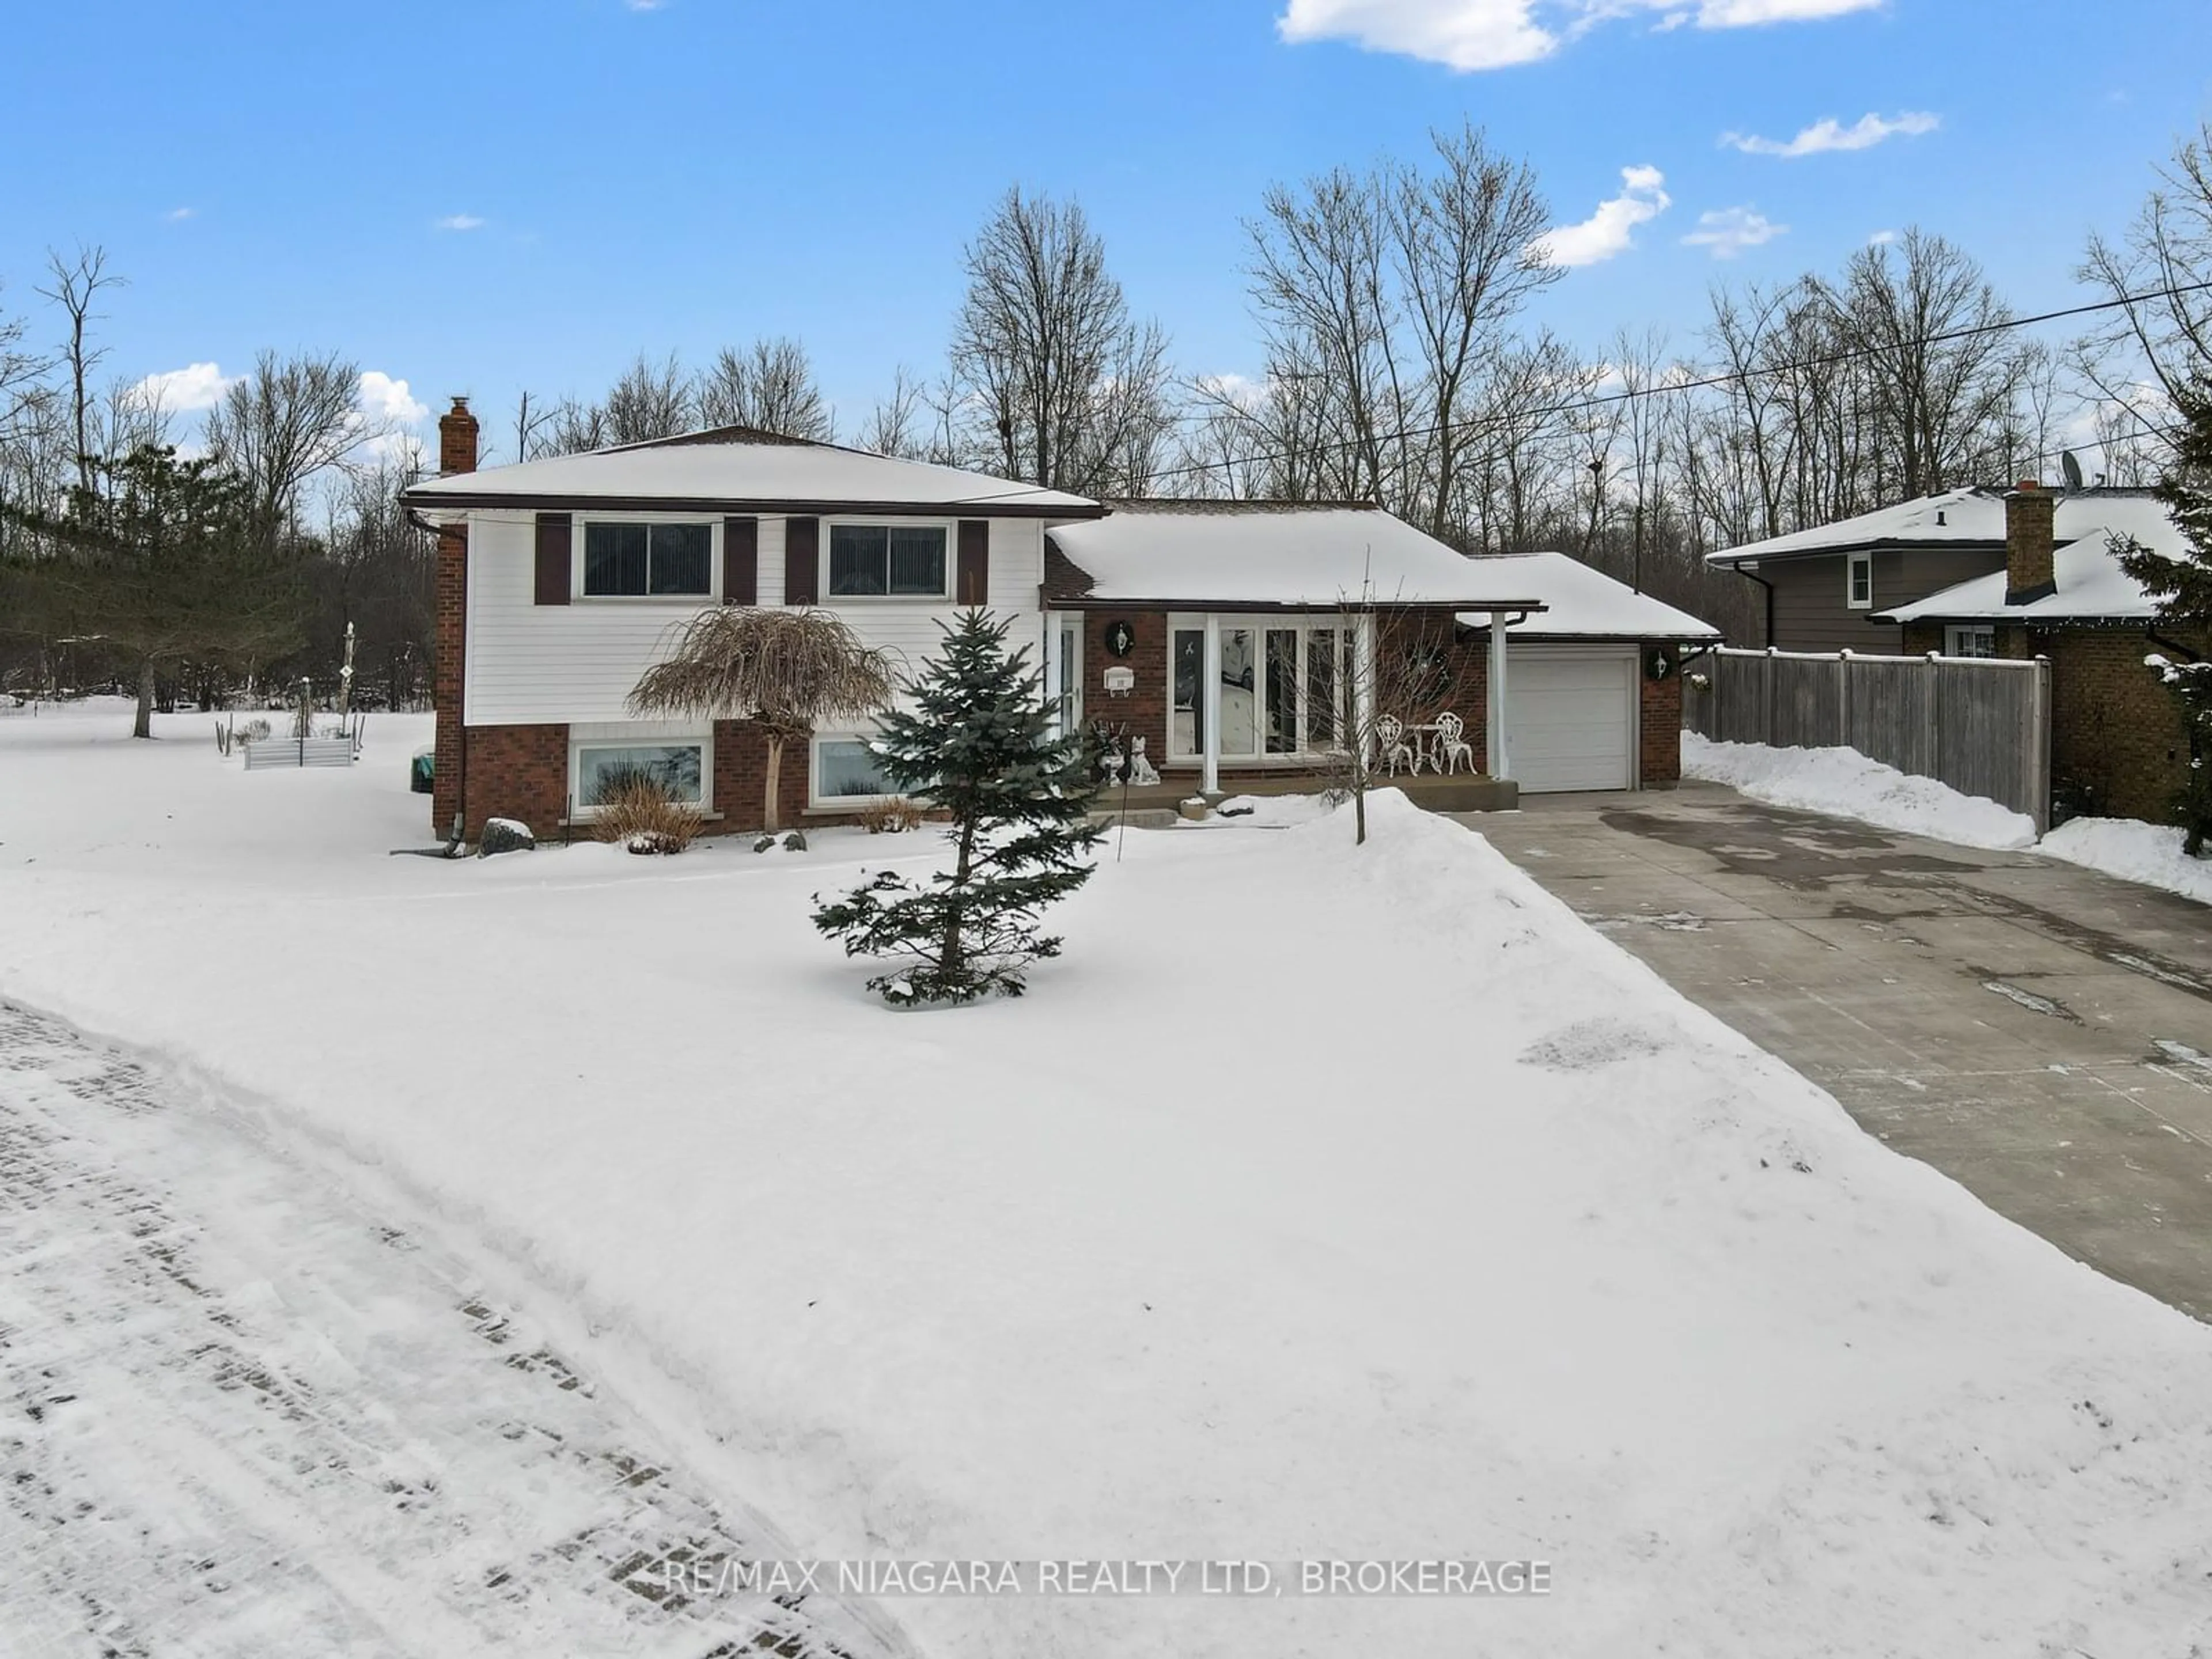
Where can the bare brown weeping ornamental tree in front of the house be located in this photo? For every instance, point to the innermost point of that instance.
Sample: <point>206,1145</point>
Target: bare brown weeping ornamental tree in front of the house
<point>784,671</point>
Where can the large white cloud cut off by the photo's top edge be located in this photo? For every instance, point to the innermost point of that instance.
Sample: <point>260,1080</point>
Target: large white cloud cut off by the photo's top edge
<point>1494,34</point>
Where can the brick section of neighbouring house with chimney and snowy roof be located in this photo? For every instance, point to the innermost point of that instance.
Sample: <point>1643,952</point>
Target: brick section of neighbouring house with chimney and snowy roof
<point>2118,747</point>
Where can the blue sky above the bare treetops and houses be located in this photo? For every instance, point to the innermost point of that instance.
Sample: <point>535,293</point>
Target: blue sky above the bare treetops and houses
<point>486,196</point>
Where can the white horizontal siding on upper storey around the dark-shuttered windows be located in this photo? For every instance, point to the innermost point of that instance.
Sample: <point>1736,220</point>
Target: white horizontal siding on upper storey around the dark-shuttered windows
<point>534,665</point>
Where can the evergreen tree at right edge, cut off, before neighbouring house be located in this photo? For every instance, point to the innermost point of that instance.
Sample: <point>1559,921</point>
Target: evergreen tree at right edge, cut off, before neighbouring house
<point>2184,594</point>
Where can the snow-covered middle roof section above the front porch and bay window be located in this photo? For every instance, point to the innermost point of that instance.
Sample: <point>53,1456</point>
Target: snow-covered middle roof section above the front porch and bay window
<point>1273,554</point>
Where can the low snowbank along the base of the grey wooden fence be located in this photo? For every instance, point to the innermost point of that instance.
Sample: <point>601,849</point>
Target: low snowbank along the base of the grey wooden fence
<point>1853,786</point>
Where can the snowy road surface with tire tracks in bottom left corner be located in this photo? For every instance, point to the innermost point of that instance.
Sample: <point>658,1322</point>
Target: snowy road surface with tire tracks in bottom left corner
<point>238,1415</point>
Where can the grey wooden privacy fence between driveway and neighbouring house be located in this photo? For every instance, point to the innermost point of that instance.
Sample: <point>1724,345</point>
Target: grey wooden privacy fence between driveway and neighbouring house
<point>1981,724</point>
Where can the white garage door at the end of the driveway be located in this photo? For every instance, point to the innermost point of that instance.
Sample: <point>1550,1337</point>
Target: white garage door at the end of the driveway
<point>1572,718</point>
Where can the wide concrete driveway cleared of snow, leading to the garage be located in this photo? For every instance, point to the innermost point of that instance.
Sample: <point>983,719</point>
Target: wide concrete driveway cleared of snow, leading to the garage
<point>2036,1032</point>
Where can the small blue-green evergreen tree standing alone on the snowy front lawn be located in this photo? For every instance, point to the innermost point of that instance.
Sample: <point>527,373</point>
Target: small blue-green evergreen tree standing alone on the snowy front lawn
<point>981,749</point>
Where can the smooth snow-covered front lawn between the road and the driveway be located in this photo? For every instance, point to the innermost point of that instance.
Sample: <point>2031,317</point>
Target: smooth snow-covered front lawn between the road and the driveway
<point>1315,1204</point>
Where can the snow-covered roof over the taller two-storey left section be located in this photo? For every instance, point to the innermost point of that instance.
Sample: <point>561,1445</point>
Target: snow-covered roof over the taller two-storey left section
<point>740,470</point>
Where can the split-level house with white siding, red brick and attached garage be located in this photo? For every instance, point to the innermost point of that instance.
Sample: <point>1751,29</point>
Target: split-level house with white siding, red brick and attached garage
<point>561,583</point>
